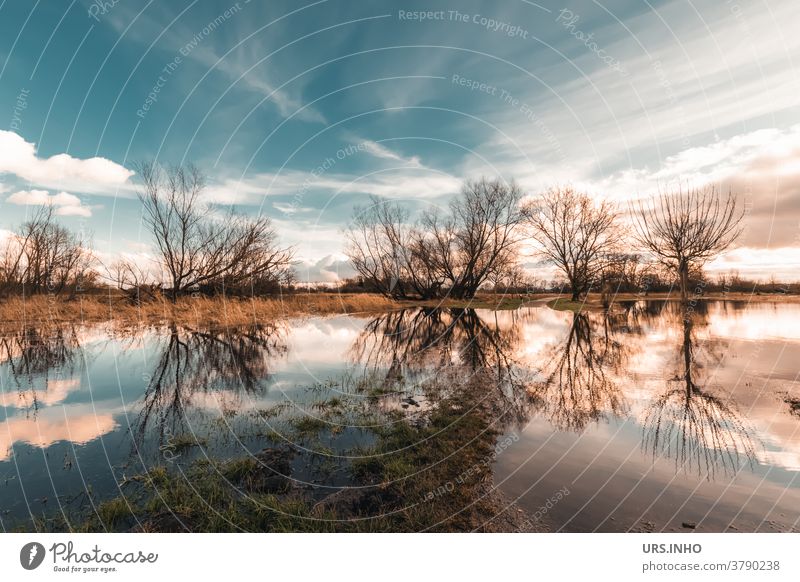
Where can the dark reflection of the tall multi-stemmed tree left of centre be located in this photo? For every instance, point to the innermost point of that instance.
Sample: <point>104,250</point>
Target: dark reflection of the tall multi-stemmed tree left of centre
<point>222,363</point>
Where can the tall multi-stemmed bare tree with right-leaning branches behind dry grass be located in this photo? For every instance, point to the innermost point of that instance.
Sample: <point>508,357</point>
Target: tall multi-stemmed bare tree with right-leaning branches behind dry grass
<point>201,251</point>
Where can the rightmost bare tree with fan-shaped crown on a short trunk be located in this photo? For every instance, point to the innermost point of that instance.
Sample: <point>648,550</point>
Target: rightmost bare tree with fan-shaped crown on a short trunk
<point>684,230</point>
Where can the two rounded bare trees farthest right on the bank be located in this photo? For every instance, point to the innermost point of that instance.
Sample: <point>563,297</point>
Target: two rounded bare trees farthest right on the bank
<point>678,231</point>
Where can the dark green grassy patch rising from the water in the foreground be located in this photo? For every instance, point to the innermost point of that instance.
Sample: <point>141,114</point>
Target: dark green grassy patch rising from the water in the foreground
<point>431,475</point>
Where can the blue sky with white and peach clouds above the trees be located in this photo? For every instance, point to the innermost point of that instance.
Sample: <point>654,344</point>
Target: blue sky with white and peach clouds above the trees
<point>300,110</point>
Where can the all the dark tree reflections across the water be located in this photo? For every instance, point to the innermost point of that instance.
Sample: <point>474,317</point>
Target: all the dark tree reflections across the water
<point>438,353</point>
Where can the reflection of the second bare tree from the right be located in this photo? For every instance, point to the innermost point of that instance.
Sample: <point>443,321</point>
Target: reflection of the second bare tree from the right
<point>579,386</point>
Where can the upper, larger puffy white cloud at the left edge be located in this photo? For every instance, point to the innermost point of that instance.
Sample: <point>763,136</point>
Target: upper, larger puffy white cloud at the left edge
<point>94,175</point>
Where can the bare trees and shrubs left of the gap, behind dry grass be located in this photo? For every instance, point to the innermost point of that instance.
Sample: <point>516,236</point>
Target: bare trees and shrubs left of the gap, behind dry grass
<point>198,249</point>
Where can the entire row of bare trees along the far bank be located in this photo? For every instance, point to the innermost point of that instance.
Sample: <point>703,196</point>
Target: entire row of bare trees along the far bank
<point>475,242</point>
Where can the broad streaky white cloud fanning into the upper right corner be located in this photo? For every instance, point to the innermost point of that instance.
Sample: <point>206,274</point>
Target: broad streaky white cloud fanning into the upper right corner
<point>694,79</point>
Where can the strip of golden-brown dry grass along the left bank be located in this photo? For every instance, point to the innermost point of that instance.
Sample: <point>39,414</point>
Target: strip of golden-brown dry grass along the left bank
<point>43,310</point>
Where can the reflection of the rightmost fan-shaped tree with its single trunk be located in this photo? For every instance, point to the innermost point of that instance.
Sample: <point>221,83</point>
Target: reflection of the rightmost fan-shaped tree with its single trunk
<point>687,422</point>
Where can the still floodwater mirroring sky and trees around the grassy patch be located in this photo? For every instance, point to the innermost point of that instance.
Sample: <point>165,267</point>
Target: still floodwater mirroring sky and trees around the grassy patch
<point>643,419</point>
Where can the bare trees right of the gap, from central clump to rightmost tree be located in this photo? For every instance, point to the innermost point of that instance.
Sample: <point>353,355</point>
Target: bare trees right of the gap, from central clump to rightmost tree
<point>478,241</point>
